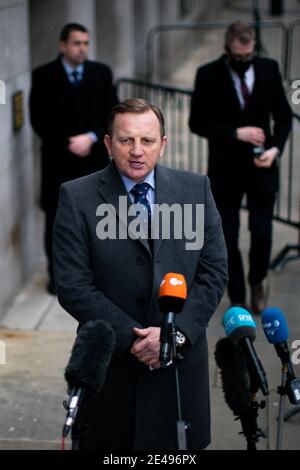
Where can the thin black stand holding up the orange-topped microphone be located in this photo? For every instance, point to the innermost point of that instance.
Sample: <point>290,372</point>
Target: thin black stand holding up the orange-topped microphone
<point>182,426</point>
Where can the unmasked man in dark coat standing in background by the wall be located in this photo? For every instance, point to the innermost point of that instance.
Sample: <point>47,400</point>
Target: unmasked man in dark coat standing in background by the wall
<point>69,103</point>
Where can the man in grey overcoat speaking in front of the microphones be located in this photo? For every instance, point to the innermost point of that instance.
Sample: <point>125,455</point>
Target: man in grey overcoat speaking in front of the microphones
<point>104,269</point>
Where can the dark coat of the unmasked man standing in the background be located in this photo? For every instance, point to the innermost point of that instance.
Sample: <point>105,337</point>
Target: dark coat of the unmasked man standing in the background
<point>59,111</point>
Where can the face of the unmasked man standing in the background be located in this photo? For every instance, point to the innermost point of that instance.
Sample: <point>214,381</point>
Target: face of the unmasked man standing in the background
<point>75,49</point>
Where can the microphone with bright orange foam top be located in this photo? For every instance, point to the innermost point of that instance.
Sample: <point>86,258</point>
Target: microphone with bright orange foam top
<point>172,295</point>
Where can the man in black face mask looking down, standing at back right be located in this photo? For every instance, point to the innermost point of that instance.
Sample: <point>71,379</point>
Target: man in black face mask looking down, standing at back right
<point>234,101</point>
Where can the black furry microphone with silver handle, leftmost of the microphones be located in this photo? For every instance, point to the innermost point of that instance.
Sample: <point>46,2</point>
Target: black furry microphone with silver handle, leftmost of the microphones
<point>87,367</point>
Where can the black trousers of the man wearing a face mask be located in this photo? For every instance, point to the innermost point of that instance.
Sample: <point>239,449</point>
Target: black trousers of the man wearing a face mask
<point>261,207</point>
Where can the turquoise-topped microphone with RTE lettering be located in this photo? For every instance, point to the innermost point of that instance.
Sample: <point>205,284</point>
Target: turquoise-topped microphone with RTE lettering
<point>240,328</point>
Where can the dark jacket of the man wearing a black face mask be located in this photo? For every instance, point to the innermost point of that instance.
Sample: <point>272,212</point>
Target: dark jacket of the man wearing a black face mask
<point>216,114</point>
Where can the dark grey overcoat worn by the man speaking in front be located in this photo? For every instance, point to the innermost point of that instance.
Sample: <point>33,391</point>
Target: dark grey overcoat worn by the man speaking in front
<point>118,281</point>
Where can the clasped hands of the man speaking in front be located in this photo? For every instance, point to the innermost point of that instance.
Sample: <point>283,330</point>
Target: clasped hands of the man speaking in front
<point>147,346</point>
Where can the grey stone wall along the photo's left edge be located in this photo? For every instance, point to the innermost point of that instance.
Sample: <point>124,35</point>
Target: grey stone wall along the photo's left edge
<point>17,214</point>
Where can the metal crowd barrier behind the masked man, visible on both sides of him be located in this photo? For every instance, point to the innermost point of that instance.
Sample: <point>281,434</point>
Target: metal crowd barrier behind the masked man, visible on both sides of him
<point>187,151</point>
